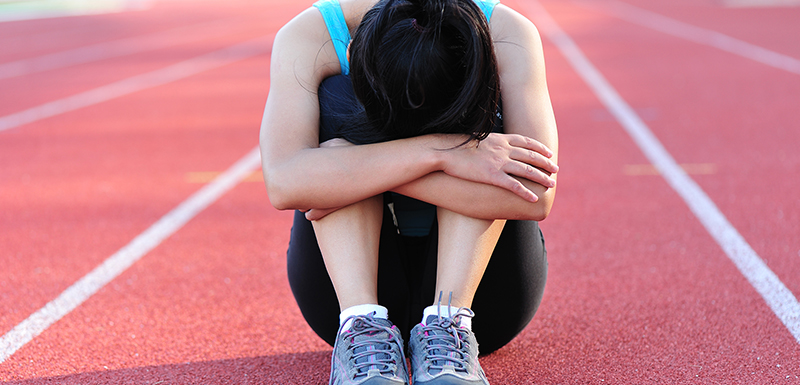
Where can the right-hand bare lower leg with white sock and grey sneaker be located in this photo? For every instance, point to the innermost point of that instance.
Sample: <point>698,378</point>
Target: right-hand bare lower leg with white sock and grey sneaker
<point>443,348</point>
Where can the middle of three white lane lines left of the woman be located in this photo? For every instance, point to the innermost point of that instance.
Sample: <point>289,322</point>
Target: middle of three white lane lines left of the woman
<point>140,82</point>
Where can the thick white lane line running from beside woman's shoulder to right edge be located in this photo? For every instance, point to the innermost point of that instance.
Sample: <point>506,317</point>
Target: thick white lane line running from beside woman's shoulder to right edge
<point>782,302</point>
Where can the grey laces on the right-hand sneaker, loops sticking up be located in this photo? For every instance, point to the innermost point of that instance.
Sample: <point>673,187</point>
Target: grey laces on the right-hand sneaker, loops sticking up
<point>445,340</point>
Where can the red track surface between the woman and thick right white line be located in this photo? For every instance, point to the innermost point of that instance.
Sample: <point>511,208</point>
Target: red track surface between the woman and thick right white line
<point>628,300</point>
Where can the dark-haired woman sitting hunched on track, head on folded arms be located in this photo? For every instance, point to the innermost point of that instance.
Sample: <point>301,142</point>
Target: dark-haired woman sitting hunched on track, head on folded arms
<point>411,185</point>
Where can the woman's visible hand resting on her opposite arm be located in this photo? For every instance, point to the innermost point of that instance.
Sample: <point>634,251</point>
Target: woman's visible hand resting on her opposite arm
<point>498,158</point>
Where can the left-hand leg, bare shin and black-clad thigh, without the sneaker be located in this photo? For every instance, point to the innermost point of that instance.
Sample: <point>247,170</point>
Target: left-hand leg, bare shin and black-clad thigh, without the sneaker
<point>332,263</point>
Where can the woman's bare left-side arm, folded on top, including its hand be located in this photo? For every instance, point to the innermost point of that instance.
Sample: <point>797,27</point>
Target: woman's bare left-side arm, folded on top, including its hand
<point>300,175</point>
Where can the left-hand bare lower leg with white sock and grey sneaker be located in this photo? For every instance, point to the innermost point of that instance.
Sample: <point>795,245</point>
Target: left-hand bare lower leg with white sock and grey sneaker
<point>369,349</point>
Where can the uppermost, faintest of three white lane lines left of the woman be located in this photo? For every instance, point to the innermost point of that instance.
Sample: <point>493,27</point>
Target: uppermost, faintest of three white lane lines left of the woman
<point>121,47</point>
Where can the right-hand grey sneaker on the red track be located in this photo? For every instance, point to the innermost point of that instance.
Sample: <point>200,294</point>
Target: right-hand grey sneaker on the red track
<point>442,352</point>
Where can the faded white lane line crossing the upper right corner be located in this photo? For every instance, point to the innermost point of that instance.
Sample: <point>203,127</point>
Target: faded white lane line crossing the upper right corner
<point>699,35</point>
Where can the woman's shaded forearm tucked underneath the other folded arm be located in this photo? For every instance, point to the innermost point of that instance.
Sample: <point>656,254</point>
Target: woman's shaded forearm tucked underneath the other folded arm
<point>479,200</point>
